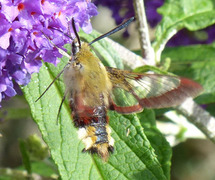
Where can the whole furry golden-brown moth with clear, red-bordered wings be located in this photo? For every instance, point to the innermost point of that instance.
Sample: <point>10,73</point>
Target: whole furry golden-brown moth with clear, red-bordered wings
<point>93,89</point>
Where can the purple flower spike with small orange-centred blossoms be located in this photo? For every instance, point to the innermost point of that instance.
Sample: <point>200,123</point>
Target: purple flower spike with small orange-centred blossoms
<point>22,43</point>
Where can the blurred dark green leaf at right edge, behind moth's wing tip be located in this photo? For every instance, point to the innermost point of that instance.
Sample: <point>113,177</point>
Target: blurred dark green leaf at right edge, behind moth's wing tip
<point>195,62</point>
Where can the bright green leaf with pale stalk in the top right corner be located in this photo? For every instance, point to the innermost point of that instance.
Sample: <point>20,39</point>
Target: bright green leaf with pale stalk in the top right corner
<point>193,15</point>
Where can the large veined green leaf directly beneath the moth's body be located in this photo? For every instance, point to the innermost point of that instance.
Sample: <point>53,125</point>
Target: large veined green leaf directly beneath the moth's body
<point>134,156</point>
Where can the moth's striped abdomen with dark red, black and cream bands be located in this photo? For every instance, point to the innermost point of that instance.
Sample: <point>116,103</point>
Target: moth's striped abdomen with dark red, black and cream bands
<point>94,130</point>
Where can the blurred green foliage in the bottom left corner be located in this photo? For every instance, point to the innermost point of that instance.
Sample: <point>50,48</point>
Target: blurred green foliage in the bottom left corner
<point>36,163</point>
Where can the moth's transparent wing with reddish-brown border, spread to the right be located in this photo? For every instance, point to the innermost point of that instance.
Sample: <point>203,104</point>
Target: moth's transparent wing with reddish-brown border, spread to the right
<point>132,91</point>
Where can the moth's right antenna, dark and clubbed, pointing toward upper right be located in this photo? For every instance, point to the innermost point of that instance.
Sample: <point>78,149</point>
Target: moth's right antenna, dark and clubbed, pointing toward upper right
<point>118,28</point>
